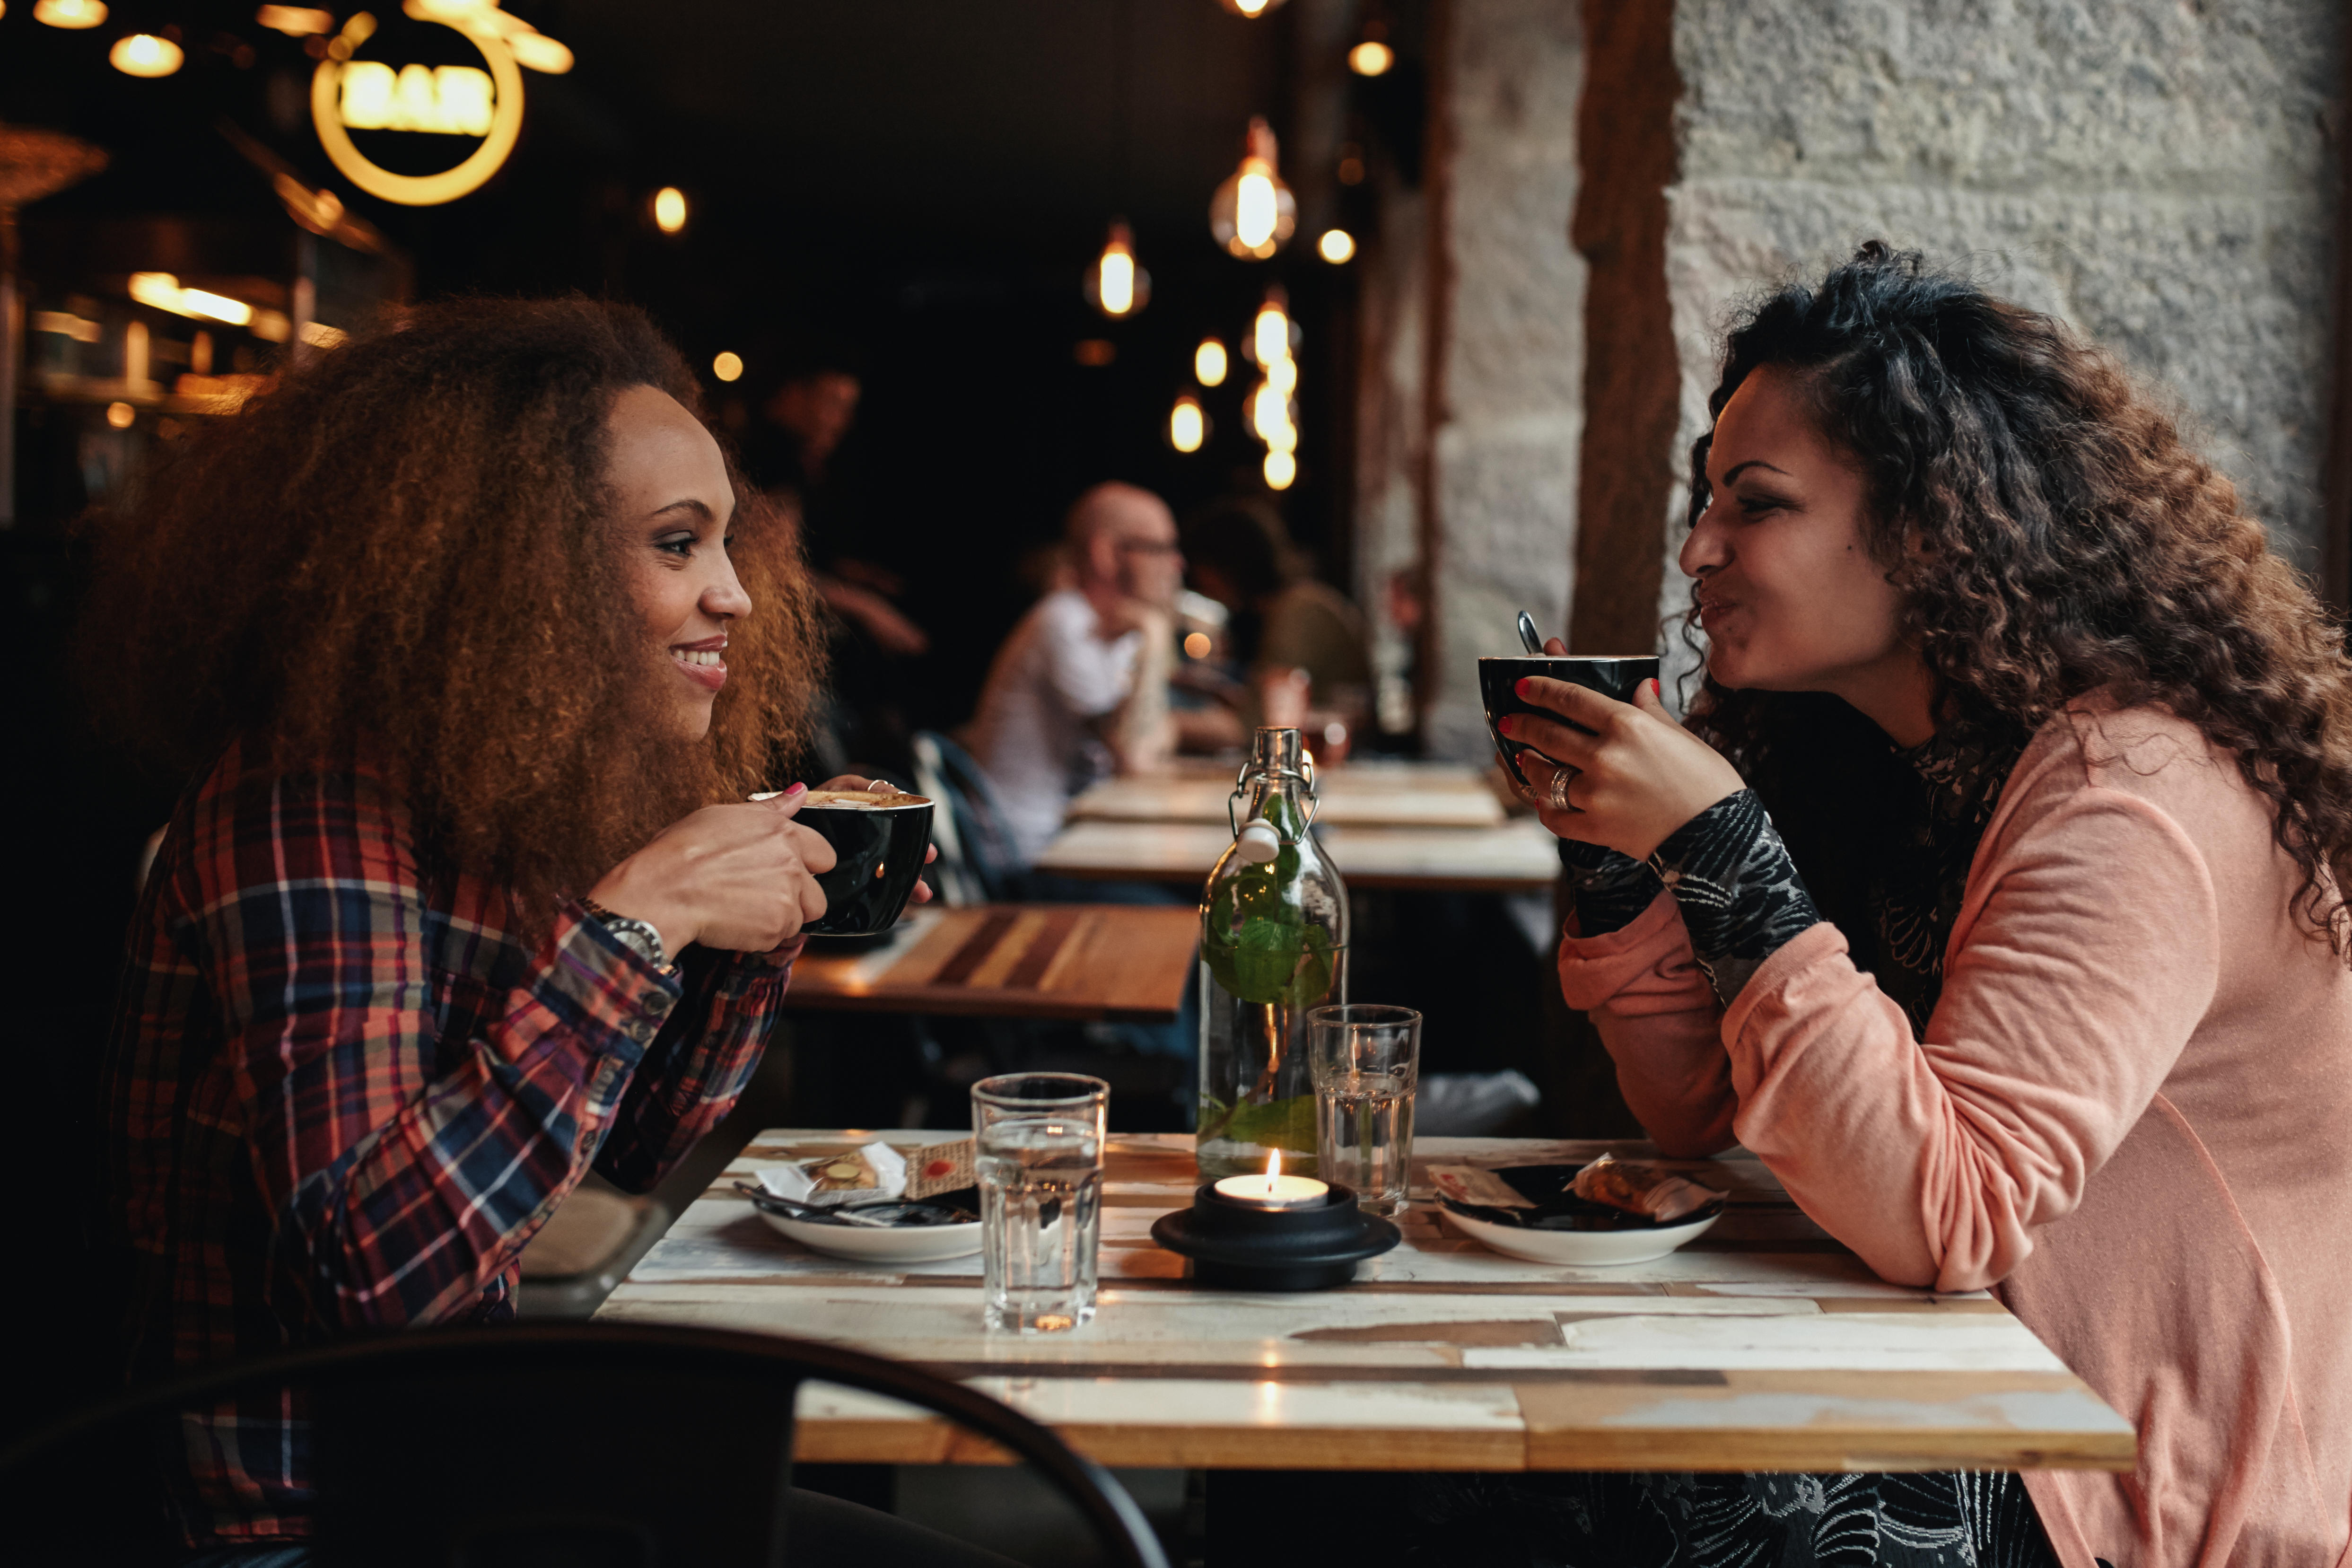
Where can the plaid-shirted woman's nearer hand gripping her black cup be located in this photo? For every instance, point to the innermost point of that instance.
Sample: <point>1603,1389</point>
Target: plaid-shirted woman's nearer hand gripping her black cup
<point>740,878</point>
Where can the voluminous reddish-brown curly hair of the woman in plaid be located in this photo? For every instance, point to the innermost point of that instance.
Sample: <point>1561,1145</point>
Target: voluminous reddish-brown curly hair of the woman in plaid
<point>408,551</point>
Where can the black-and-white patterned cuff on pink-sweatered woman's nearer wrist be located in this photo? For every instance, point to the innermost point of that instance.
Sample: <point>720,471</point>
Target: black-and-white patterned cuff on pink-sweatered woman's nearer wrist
<point>1739,894</point>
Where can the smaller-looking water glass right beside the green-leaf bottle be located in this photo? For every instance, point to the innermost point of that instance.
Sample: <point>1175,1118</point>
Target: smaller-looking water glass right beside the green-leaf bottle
<point>1365,1061</point>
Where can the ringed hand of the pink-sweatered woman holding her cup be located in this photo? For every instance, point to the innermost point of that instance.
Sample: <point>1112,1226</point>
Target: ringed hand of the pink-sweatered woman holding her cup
<point>1633,772</point>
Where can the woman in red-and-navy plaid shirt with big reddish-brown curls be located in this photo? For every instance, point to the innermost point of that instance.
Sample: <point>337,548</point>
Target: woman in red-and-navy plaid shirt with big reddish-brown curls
<point>474,650</point>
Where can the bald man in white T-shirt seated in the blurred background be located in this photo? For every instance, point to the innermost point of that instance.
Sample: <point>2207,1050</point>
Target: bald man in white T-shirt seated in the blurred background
<point>1081,690</point>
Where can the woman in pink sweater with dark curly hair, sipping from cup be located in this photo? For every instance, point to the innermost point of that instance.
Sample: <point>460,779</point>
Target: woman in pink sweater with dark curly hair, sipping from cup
<point>1996,902</point>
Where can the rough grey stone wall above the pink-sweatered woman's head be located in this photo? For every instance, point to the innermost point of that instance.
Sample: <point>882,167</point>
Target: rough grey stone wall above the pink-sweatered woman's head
<point>2158,173</point>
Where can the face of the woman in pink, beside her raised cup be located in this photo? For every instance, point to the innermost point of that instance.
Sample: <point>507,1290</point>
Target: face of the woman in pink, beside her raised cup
<point>1791,596</point>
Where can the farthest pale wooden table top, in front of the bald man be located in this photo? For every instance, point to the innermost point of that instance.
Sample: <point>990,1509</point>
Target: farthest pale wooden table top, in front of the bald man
<point>1351,796</point>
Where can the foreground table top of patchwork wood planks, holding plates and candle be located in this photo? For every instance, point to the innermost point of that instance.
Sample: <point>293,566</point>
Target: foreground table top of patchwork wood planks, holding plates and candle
<point>1763,1346</point>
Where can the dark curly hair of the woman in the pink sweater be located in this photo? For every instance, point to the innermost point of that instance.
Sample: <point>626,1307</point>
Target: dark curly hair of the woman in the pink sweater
<point>2050,537</point>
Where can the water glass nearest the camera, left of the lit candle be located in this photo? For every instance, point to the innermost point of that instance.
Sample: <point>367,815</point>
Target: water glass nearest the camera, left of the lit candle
<point>1041,1158</point>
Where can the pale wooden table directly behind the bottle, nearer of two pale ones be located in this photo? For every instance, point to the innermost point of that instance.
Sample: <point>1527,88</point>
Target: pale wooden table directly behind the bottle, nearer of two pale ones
<point>1509,859</point>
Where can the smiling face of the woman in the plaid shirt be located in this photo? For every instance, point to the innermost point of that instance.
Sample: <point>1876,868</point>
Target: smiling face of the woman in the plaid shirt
<point>674,509</point>
